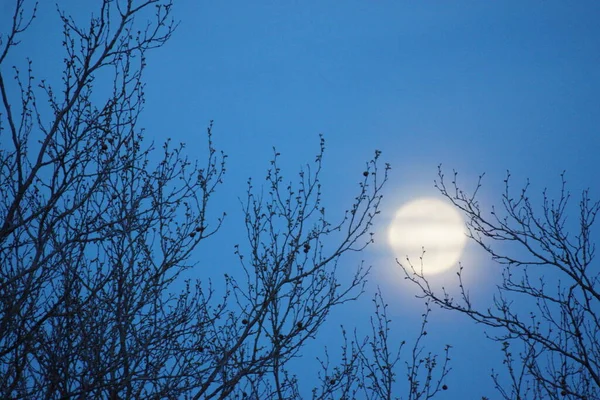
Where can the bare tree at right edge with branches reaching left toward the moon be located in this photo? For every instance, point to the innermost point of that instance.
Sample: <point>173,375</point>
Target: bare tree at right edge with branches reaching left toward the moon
<point>546,313</point>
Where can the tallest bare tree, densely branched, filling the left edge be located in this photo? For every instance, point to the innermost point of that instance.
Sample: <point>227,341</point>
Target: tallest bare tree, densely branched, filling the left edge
<point>93,233</point>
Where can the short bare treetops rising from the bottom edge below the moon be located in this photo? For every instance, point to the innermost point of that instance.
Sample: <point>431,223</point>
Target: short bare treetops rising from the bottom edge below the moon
<point>369,366</point>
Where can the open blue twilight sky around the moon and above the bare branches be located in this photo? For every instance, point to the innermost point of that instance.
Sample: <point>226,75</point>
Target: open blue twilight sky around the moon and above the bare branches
<point>478,86</point>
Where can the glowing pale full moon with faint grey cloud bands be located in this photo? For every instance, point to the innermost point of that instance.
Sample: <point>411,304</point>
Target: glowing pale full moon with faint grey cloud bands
<point>432,225</point>
